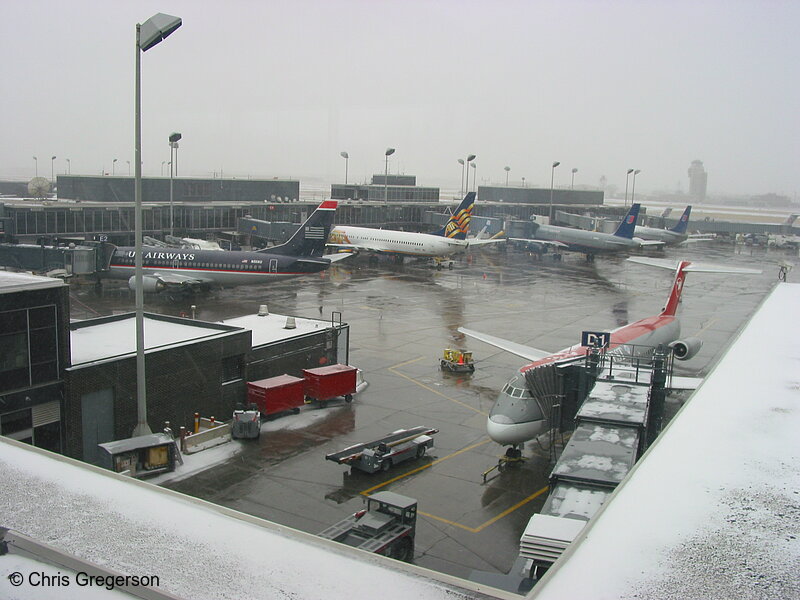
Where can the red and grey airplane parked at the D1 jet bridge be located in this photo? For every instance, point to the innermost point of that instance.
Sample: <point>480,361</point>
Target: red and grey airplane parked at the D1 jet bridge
<point>518,416</point>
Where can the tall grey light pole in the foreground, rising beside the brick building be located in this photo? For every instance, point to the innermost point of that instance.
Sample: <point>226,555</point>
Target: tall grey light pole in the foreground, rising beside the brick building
<point>148,34</point>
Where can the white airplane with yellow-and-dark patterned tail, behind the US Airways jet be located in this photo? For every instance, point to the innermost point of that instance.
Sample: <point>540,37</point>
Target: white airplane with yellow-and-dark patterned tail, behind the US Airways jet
<point>450,239</point>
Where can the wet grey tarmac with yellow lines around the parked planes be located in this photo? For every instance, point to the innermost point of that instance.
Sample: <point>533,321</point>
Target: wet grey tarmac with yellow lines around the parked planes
<point>402,317</point>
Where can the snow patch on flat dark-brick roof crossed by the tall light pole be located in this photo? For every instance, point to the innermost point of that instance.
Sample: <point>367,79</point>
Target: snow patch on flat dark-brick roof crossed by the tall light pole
<point>106,338</point>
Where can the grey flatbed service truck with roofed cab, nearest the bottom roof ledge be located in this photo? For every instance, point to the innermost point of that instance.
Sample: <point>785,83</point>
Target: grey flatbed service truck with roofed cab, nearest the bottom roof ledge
<point>386,526</point>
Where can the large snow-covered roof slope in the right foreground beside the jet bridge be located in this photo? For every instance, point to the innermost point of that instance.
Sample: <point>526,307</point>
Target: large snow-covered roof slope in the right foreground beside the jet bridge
<point>713,508</point>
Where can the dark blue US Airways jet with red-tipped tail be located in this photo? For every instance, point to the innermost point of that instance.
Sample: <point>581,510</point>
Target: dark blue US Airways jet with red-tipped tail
<point>186,270</point>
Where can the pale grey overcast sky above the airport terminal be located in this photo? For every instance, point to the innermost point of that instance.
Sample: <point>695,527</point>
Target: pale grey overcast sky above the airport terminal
<point>278,89</point>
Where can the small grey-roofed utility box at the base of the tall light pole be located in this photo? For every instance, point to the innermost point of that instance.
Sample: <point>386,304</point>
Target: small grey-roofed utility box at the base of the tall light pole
<point>140,456</point>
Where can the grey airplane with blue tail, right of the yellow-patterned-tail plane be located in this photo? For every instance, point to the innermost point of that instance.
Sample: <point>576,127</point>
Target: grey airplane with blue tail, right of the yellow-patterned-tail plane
<point>589,243</point>
